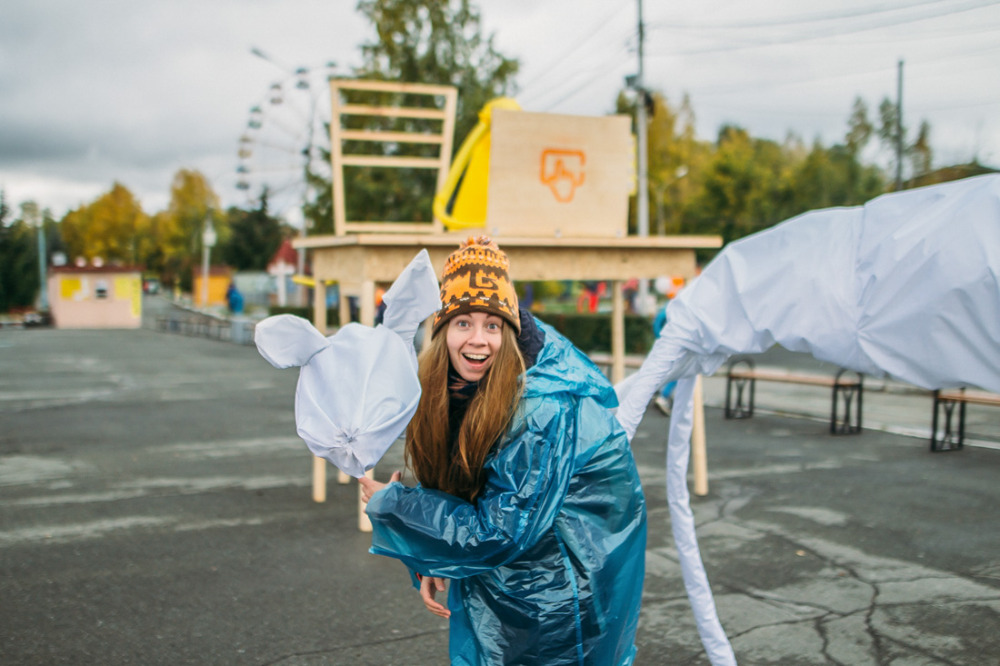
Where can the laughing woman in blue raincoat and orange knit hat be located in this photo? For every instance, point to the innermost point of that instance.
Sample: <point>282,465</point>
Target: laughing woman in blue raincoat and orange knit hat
<point>529,500</point>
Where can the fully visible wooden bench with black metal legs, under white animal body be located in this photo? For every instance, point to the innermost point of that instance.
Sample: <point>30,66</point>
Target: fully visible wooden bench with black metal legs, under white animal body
<point>845,412</point>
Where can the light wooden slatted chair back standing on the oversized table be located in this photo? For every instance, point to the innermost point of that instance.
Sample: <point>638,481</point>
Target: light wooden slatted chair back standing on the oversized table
<point>339,134</point>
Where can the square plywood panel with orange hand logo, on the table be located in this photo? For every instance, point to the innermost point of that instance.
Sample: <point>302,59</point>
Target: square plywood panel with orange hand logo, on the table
<point>557,176</point>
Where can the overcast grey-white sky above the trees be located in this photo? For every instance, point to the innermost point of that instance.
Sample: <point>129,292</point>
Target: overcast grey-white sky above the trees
<point>133,90</point>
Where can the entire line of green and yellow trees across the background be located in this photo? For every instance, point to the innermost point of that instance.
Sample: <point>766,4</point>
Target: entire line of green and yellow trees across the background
<point>733,185</point>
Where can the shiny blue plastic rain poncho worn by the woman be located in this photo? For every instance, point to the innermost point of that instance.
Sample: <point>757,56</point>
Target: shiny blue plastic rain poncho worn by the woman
<point>547,565</point>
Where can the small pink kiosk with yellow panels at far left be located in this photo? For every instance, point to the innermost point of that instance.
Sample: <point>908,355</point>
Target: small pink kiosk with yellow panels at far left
<point>95,296</point>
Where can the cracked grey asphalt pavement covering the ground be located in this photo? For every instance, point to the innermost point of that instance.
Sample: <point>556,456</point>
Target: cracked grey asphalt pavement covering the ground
<point>155,508</point>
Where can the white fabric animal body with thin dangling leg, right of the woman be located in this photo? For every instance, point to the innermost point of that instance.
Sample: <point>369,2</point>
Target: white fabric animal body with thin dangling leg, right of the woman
<point>906,286</point>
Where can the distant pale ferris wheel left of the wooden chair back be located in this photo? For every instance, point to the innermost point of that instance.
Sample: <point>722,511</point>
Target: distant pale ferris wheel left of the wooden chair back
<point>285,141</point>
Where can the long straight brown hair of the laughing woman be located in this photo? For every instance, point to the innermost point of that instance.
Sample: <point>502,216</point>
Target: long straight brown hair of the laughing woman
<point>428,437</point>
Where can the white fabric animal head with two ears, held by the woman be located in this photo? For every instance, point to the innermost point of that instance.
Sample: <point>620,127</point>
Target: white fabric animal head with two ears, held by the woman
<point>357,389</point>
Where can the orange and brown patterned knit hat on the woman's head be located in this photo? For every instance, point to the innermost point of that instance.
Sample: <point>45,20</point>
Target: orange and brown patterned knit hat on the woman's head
<point>475,279</point>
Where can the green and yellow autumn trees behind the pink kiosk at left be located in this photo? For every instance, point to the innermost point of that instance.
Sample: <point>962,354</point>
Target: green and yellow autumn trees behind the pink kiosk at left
<point>113,229</point>
